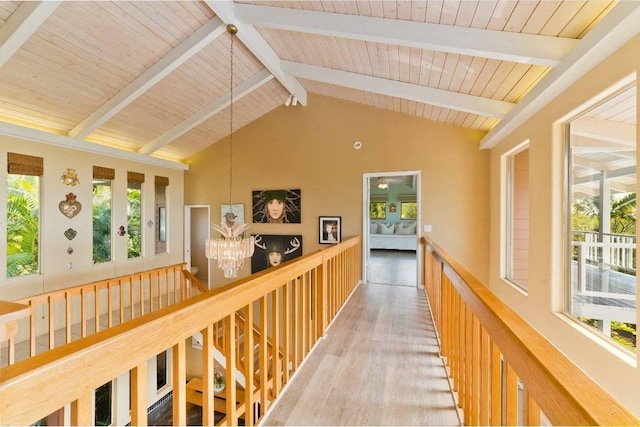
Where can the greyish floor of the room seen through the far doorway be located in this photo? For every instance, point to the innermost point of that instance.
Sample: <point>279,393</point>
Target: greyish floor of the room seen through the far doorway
<point>391,267</point>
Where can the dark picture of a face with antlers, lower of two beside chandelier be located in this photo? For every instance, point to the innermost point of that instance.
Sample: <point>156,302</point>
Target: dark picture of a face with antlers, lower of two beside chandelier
<point>273,250</point>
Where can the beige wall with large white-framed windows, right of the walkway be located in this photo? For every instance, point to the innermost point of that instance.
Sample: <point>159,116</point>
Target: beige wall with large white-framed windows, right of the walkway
<point>542,306</point>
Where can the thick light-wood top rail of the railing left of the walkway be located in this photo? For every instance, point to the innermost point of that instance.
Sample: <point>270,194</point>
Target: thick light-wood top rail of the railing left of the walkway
<point>59,376</point>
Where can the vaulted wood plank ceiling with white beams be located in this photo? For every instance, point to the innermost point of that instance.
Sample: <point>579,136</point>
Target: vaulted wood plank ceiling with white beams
<point>150,80</point>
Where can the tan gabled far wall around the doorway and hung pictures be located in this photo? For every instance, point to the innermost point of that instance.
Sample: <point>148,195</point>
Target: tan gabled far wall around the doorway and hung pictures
<point>311,148</point>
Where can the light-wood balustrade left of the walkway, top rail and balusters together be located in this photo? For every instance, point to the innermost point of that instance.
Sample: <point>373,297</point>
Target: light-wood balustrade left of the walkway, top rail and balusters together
<point>69,374</point>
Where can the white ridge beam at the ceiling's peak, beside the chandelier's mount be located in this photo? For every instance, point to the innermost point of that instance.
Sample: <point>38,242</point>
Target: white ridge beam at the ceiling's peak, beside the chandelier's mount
<point>253,41</point>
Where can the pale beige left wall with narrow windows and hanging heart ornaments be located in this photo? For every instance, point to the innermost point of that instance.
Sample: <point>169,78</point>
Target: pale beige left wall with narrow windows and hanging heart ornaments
<point>55,274</point>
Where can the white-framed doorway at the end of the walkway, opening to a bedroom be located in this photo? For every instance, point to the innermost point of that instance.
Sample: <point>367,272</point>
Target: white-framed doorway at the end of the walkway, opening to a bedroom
<point>391,228</point>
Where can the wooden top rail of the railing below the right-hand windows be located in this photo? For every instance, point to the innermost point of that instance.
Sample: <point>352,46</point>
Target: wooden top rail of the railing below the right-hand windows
<point>565,393</point>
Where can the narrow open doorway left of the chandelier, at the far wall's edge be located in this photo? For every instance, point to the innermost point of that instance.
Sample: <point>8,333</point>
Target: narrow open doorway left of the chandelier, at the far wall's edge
<point>196,233</point>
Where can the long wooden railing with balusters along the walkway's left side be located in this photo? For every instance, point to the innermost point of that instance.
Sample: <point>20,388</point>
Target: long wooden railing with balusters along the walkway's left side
<point>293,303</point>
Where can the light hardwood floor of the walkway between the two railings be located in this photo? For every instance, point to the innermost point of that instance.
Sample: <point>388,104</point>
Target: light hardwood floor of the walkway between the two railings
<point>378,365</point>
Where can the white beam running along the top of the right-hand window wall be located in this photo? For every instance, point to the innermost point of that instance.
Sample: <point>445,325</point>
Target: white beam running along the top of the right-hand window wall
<point>616,28</point>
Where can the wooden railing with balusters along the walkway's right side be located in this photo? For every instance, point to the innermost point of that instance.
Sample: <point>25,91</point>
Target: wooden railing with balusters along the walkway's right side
<point>503,371</point>
